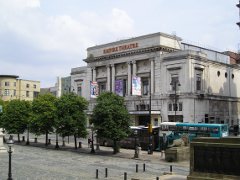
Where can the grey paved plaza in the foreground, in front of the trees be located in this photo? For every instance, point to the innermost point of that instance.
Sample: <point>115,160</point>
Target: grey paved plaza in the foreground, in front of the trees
<point>37,162</point>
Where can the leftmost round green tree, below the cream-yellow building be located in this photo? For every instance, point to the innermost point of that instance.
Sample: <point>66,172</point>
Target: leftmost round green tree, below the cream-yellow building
<point>16,117</point>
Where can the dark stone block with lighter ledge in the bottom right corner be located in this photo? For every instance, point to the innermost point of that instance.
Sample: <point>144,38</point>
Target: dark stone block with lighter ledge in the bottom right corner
<point>213,159</point>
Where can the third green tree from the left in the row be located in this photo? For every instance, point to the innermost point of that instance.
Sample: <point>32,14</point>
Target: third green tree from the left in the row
<point>71,117</point>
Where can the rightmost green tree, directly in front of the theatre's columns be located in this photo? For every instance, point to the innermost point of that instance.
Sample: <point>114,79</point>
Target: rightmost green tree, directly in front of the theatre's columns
<point>111,118</point>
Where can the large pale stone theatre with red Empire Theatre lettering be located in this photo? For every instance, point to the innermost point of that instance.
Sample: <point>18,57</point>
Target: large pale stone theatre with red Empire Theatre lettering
<point>179,81</point>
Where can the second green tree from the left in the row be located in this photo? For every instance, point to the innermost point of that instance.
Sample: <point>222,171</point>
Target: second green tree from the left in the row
<point>44,114</point>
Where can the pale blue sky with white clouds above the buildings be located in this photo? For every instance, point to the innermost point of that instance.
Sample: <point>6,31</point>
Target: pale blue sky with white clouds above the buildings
<point>43,39</point>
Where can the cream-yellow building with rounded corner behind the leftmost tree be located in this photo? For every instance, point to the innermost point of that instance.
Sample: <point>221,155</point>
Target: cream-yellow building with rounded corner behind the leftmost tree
<point>13,88</point>
